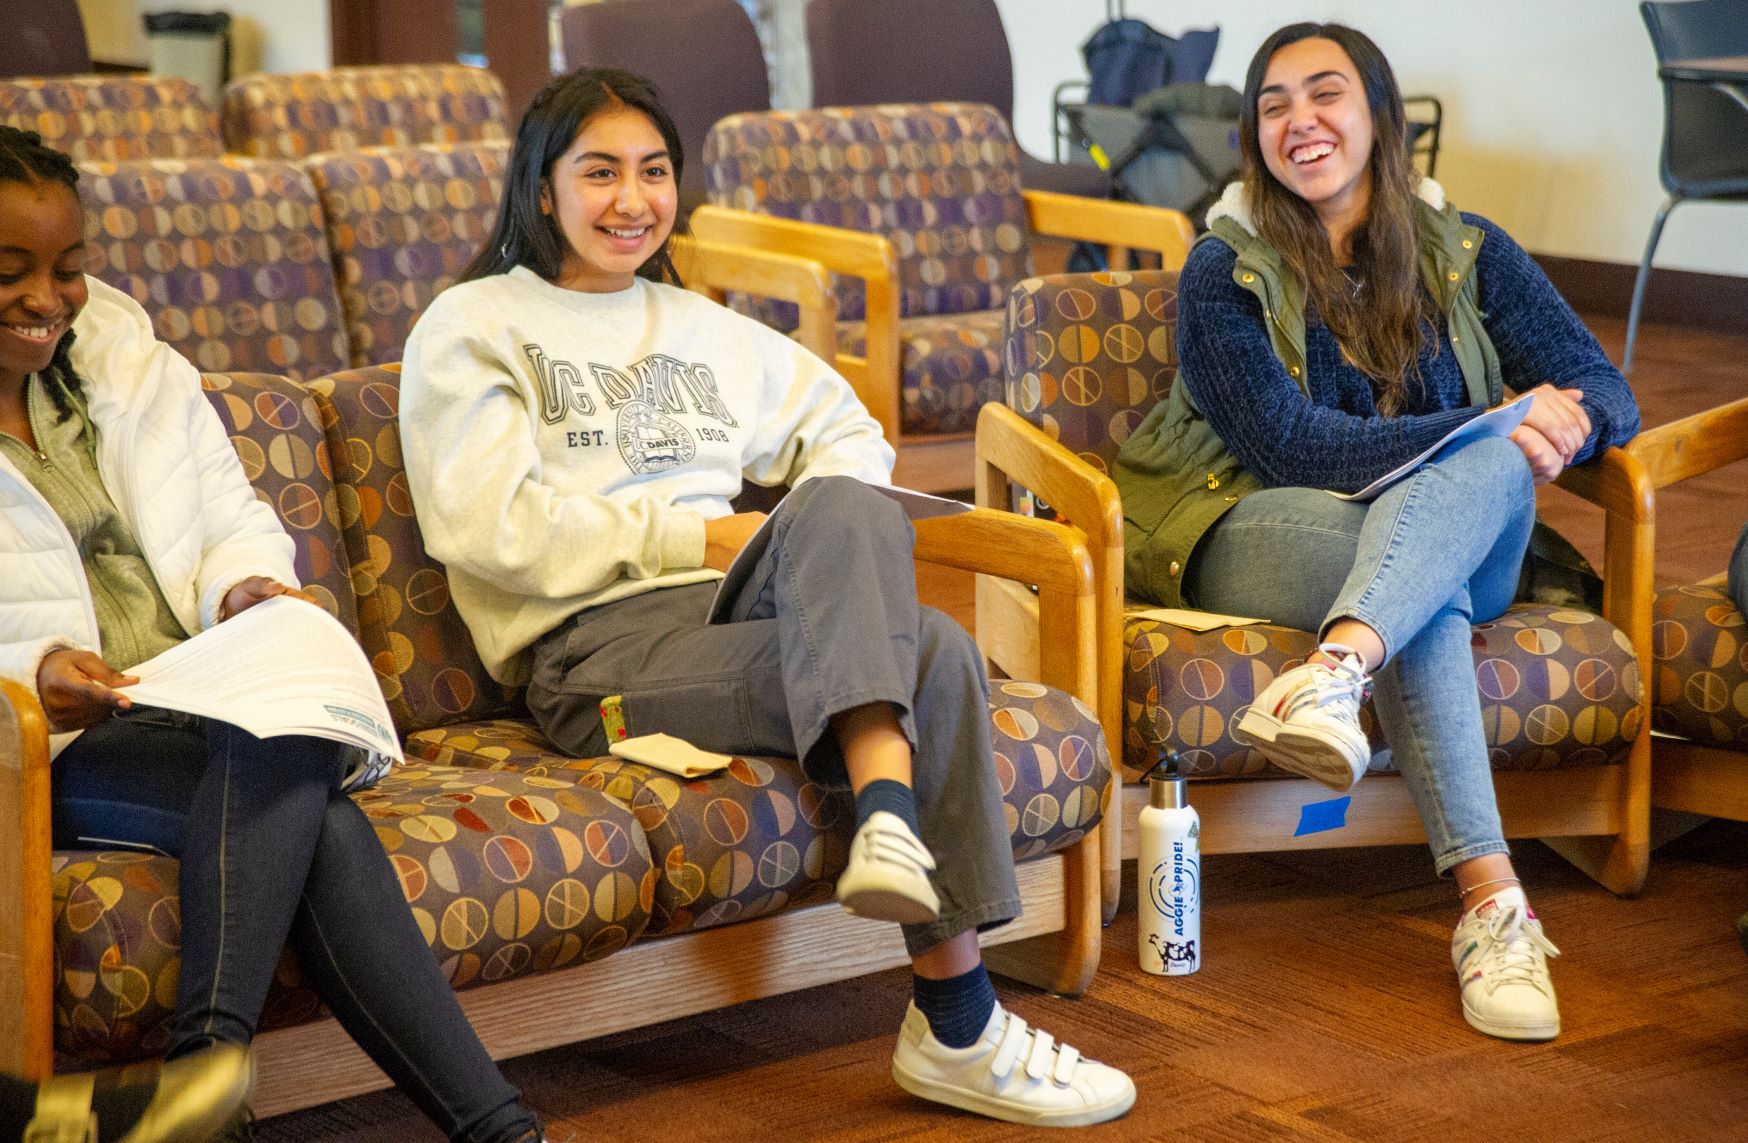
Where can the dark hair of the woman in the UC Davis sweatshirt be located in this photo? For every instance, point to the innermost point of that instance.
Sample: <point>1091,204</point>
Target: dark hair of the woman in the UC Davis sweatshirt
<point>529,237</point>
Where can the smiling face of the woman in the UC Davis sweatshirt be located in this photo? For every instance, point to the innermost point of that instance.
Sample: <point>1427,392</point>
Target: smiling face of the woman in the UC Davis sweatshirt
<point>614,200</point>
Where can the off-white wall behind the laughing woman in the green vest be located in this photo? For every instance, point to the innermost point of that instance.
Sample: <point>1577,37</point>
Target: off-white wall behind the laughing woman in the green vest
<point>1553,107</point>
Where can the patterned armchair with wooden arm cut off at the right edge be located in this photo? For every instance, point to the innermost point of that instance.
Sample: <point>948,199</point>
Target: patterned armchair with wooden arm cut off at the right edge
<point>1700,693</point>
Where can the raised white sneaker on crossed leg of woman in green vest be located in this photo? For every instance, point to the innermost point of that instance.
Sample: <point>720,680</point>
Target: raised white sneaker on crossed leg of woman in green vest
<point>1308,719</point>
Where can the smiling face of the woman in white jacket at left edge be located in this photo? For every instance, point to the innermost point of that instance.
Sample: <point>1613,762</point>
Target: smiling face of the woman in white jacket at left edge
<point>43,282</point>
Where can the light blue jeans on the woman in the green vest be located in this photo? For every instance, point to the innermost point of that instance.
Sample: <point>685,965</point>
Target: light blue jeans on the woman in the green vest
<point>1431,557</point>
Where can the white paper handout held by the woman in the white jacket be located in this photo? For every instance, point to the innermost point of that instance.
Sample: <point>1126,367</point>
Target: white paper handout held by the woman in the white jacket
<point>284,667</point>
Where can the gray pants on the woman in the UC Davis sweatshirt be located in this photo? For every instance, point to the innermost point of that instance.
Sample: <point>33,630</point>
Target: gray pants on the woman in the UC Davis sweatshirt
<point>826,621</point>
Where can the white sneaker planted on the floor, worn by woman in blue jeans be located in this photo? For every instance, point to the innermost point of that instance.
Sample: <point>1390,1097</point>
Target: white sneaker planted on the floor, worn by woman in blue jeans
<point>1501,959</point>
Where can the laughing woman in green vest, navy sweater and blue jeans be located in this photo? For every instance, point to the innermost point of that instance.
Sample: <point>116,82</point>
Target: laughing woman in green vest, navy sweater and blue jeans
<point>1338,321</point>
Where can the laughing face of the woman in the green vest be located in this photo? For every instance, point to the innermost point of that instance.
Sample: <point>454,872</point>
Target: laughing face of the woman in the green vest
<point>1315,130</point>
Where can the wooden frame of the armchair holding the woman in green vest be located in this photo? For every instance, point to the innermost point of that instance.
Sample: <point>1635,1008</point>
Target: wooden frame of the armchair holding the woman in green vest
<point>1597,817</point>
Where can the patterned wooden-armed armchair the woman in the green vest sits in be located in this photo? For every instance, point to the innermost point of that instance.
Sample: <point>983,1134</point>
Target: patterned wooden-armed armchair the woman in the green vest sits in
<point>1567,714</point>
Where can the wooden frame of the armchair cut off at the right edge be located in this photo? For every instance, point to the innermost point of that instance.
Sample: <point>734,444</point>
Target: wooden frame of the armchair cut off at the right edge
<point>1695,777</point>
